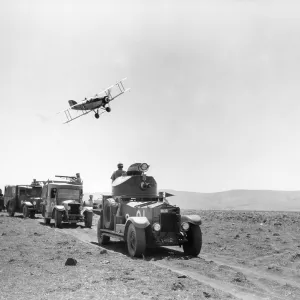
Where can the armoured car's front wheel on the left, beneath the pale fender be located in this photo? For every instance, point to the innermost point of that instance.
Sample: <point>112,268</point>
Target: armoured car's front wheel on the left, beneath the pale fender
<point>136,241</point>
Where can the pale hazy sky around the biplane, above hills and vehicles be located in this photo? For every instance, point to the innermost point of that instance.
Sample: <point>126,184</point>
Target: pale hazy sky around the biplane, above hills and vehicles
<point>214,102</point>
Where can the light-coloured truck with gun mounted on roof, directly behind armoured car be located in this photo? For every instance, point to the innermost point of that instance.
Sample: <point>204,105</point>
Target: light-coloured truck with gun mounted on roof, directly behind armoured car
<point>62,201</point>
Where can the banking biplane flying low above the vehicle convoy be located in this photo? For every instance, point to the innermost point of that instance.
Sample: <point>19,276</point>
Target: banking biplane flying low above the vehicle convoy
<point>96,103</point>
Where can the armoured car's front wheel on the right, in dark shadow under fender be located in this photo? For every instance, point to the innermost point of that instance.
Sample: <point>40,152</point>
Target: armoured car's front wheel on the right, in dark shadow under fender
<point>194,244</point>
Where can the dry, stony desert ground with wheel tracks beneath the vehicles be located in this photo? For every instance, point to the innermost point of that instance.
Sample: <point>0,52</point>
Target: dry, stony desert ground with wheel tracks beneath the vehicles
<point>245,255</point>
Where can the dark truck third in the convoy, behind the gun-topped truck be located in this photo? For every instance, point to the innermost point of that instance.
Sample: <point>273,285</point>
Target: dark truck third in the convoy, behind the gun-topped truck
<point>24,199</point>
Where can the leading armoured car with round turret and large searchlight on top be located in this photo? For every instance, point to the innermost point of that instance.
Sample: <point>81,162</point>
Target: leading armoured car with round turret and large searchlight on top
<point>136,213</point>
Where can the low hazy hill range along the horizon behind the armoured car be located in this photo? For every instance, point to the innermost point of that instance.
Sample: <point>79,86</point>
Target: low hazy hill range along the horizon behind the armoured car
<point>233,200</point>
